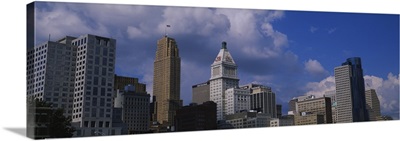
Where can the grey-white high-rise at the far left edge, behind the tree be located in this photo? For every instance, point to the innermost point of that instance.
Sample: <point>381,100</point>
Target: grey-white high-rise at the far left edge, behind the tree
<point>51,73</point>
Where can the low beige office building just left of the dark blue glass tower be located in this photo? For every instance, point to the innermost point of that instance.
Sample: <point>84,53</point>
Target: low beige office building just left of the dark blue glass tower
<point>317,106</point>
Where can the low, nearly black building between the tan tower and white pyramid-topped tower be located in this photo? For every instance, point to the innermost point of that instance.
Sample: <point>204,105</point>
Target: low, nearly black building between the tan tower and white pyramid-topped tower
<point>196,117</point>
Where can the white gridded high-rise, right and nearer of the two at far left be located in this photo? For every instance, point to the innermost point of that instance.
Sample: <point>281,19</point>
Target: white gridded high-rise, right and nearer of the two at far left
<point>94,83</point>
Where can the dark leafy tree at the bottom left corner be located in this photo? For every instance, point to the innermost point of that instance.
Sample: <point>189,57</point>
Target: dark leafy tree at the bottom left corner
<point>56,124</point>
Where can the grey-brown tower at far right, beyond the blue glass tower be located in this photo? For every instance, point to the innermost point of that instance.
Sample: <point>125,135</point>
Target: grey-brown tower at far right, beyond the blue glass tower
<point>373,105</point>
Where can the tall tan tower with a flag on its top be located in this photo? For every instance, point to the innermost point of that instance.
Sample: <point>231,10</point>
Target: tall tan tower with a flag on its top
<point>166,83</point>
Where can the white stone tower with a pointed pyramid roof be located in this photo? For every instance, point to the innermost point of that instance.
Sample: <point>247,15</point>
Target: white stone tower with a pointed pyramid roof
<point>223,77</point>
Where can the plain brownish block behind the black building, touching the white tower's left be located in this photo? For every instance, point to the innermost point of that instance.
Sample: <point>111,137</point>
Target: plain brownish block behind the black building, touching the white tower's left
<point>201,92</point>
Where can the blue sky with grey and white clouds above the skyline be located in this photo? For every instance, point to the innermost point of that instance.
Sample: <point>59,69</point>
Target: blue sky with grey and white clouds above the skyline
<point>293,52</point>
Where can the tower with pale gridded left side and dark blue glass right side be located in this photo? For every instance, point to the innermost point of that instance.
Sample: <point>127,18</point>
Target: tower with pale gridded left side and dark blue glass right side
<point>350,92</point>
